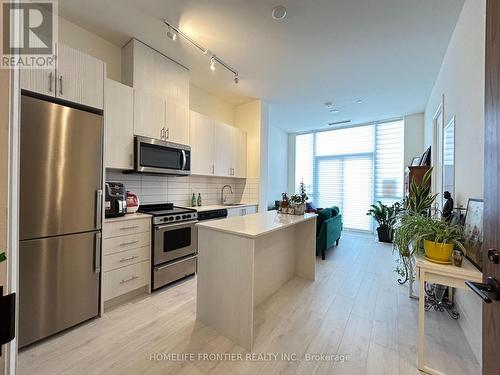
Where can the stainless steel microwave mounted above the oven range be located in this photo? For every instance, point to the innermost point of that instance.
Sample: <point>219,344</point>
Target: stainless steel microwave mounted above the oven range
<point>157,156</point>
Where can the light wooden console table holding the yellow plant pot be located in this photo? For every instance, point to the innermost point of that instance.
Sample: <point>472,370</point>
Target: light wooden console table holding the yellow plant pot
<point>444,274</point>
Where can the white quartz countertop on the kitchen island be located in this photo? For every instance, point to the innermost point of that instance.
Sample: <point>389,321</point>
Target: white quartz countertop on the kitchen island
<point>256,225</point>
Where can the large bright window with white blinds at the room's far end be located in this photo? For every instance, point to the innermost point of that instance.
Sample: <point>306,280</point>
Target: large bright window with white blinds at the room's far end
<point>351,168</point>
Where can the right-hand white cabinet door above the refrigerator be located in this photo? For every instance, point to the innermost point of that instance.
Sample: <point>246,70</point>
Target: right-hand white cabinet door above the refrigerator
<point>80,77</point>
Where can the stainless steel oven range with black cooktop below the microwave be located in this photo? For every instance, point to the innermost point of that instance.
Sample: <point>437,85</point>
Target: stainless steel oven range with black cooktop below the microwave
<point>174,240</point>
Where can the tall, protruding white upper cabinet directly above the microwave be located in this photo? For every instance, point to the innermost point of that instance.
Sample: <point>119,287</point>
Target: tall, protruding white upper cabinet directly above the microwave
<point>154,74</point>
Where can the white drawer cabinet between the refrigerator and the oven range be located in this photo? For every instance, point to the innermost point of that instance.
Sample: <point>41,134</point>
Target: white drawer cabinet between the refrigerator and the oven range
<point>126,252</point>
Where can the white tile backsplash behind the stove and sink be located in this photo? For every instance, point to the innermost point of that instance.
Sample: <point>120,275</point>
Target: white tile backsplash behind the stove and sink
<point>178,190</point>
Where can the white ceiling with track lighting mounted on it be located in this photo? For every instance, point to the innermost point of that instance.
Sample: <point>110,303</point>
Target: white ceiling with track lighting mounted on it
<point>386,53</point>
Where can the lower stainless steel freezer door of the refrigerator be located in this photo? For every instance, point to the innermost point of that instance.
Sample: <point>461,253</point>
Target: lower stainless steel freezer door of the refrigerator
<point>58,284</point>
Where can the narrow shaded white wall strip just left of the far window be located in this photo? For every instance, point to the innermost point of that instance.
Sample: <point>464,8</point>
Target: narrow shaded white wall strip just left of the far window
<point>278,164</point>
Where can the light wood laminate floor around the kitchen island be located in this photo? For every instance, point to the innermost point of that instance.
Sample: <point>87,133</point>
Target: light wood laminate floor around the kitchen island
<point>354,308</point>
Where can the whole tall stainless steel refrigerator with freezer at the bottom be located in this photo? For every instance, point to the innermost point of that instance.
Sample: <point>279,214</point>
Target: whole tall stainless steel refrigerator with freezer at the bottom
<point>60,217</point>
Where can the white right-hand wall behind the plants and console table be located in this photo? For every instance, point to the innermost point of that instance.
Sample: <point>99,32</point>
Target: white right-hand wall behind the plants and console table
<point>461,80</point>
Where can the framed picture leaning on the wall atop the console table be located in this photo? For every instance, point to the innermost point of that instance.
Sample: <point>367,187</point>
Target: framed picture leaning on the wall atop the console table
<point>473,231</point>
